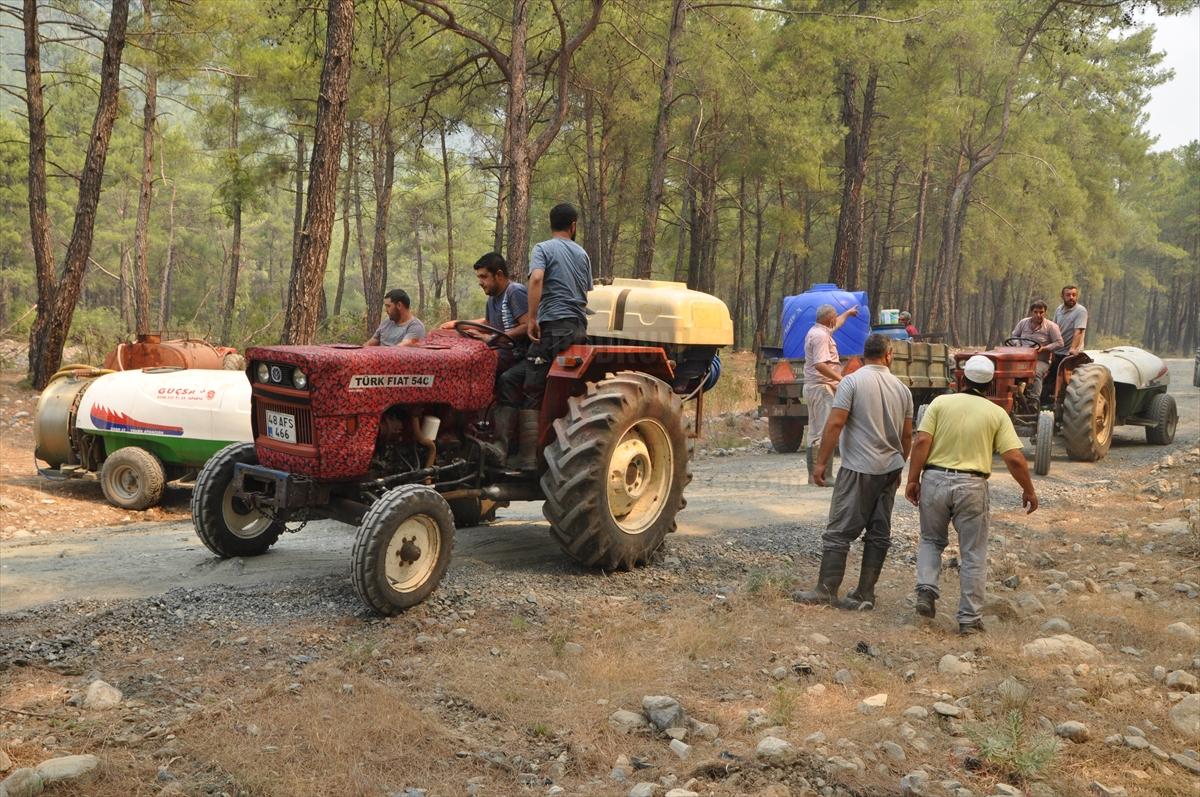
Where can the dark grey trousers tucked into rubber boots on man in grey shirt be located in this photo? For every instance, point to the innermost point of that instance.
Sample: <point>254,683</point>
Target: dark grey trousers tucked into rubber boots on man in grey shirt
<point>861,501</point>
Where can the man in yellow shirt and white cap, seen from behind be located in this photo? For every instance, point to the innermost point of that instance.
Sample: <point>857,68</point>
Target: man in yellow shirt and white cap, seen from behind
<point>949,481</point>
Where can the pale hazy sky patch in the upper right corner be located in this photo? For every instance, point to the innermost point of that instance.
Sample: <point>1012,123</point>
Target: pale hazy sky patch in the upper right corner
<point>1175,106</point>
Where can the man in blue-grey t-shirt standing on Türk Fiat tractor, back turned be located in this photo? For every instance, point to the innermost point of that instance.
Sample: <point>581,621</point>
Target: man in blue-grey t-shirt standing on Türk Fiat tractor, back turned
<point>560,280</point>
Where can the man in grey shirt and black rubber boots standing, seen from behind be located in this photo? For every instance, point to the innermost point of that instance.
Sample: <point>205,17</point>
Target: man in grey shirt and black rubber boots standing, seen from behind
<point>873,418</point>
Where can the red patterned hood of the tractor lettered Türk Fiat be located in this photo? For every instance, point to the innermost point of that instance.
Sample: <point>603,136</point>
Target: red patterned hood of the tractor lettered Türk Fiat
<point>445,369</point>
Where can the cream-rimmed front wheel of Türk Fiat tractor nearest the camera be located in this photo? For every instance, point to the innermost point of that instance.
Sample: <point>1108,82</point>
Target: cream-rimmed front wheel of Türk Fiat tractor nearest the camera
<point>403,549</point>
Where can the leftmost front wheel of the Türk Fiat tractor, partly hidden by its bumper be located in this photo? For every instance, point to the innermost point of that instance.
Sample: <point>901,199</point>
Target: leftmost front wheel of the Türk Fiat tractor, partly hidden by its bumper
<point>225,524</point>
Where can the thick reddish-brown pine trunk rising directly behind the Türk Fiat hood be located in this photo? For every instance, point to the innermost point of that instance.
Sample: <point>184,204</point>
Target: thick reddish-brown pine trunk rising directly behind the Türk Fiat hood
<point>309,269</point>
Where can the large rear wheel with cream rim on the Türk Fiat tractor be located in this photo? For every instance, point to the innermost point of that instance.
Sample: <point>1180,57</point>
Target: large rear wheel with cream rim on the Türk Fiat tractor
<point>616,470</point>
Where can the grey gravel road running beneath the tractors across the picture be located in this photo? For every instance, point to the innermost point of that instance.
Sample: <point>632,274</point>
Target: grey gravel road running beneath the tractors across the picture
<point>743,508</point>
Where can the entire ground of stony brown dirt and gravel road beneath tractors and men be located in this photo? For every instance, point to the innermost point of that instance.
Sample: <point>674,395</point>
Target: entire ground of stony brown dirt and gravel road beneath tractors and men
<point>266,678</point>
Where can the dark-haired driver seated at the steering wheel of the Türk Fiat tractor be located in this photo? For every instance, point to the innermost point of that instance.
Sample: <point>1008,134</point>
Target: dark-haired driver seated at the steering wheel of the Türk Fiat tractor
<point>508,309</point>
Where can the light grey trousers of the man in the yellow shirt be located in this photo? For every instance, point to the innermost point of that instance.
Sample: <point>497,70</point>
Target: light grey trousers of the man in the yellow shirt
<point>963,500</point>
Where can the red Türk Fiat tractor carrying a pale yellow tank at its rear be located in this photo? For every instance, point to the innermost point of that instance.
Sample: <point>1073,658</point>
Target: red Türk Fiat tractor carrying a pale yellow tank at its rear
<point>389,440</point>
